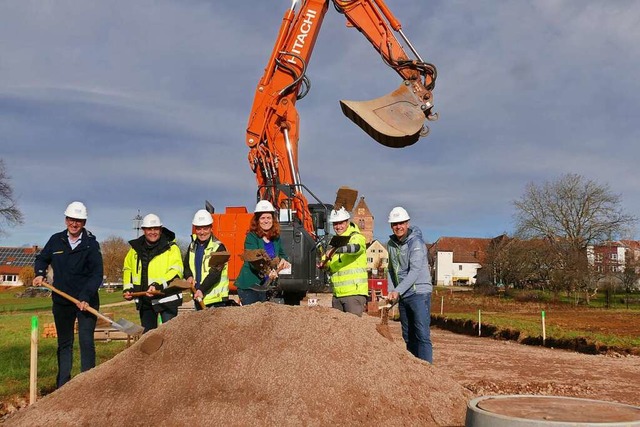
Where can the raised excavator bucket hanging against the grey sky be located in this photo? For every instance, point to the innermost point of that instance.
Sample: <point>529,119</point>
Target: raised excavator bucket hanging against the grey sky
<point>395,120</point>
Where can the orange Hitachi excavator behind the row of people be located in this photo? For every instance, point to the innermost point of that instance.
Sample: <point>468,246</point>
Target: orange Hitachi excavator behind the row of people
<point>395,120</point>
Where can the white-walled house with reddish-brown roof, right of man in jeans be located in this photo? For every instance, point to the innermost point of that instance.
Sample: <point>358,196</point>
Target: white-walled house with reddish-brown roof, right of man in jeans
<point>456,260</point>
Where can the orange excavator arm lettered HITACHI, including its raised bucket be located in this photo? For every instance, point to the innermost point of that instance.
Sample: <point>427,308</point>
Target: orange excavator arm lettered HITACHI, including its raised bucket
<point>395,120</point>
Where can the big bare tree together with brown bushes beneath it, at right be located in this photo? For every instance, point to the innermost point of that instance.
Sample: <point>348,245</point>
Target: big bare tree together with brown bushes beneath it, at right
<point>556,225</point>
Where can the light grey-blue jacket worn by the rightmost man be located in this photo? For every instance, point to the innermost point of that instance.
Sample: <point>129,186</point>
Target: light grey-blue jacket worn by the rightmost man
<point>408,271</point>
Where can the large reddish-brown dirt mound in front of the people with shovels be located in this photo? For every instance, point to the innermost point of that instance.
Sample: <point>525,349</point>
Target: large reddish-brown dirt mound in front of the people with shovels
<point>265,364</point>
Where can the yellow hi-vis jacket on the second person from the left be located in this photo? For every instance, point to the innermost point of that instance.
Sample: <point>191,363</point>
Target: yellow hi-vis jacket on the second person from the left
<point>162,268</point>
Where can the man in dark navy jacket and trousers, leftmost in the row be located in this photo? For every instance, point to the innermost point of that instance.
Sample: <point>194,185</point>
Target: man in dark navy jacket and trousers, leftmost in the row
<point>75,257</point>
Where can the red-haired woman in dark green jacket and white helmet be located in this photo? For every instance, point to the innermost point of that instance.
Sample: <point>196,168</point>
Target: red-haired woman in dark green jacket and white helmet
<point>264,233</point>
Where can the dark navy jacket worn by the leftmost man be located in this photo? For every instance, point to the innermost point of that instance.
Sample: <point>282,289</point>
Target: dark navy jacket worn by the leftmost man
<point>77,272</point>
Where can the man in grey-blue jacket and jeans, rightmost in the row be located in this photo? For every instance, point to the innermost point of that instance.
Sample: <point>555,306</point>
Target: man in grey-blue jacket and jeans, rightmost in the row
<point>409,282</point>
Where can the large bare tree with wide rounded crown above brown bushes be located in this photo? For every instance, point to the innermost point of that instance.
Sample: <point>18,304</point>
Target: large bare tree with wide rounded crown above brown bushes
<point>575,209</point>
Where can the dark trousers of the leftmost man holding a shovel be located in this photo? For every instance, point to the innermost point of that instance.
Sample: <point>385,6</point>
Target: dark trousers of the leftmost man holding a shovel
<point>64,317</point>
